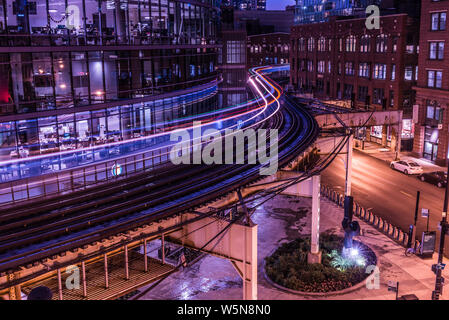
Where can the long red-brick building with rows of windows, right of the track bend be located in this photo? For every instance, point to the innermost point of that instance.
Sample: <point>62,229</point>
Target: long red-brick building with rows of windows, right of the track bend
<point>343,60</point>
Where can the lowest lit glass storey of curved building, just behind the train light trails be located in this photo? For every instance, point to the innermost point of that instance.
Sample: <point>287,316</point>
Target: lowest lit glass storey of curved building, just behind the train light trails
<point>71,131</point>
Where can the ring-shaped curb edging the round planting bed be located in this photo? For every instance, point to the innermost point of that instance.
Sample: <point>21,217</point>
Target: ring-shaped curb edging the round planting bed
<point>356,287</point>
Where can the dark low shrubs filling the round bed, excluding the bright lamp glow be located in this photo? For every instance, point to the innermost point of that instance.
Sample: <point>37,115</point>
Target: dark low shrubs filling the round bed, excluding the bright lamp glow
<point>288,266</point>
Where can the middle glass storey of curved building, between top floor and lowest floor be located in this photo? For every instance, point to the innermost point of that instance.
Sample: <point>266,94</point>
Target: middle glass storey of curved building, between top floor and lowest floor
<point>33,82</point>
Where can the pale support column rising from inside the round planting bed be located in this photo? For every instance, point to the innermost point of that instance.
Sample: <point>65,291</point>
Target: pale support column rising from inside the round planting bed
<point>314,255</point>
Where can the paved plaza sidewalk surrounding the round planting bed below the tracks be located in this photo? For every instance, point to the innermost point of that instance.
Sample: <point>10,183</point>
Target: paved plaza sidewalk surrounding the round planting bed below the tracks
<point>281,220</point>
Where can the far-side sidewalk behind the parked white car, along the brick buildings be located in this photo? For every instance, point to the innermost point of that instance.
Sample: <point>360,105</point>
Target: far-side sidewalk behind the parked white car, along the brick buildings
<point>384,153</point>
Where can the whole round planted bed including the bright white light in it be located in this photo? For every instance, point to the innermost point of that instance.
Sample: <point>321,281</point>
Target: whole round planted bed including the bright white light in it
<point>338,273</point>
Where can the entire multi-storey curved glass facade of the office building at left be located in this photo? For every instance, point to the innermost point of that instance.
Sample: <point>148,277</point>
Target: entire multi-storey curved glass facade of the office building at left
<point>79,73</point>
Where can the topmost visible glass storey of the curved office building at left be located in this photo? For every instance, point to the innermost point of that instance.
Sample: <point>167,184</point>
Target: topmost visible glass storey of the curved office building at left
<point>107,22</point>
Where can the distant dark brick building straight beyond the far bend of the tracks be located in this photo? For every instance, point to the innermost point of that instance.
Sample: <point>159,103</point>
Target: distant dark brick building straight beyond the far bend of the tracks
<point>264,49</point>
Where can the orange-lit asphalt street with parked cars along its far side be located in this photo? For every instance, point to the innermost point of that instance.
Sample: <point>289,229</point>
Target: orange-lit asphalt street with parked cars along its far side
<point>390,194</point>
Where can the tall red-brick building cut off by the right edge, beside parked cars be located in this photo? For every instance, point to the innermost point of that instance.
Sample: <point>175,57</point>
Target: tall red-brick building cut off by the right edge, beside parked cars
<point>432,90</point>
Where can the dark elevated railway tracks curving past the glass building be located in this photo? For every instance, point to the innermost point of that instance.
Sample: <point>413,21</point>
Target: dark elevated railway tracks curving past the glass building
<point>41,229</point>
